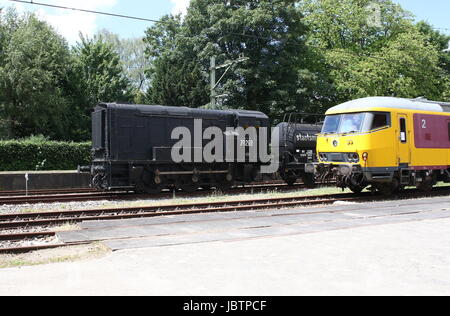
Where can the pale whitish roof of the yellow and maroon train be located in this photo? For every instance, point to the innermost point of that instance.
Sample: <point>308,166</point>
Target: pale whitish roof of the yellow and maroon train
<point>391,102</point>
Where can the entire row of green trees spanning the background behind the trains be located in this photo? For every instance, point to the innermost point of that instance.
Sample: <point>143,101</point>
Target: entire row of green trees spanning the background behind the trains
<point>303,55</point>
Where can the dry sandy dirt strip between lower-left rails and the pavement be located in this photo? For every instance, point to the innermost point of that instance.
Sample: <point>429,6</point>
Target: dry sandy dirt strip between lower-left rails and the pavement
<point>63,254</point>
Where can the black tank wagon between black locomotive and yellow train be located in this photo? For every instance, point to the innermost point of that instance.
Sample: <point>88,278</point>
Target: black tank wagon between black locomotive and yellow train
<point>297,143</point>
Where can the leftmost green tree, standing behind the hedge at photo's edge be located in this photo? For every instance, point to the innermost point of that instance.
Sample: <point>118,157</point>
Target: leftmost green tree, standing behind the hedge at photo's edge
<point>33,75</point>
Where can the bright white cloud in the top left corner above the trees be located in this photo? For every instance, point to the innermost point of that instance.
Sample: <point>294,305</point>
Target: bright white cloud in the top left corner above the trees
<point>67,22</point>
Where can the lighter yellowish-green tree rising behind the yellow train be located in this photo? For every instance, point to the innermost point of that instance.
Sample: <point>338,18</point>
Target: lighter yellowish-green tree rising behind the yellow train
<point>390,57</point>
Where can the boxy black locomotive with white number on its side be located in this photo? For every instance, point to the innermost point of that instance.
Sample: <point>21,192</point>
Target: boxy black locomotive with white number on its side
<point>132,148</point>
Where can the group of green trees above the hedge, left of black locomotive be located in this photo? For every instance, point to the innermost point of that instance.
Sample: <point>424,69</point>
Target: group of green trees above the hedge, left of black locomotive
<point>48,88</point>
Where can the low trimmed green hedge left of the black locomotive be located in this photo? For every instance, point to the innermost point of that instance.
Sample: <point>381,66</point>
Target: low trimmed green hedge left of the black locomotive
<point>41,154</point>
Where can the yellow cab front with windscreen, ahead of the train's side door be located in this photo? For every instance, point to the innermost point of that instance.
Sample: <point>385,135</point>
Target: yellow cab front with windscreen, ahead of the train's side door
<point>346,143</point>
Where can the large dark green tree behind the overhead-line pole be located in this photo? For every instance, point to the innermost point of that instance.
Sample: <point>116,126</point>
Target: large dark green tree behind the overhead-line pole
<point>278,76</point>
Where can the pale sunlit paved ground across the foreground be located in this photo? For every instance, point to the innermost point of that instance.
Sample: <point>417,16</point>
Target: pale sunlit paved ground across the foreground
<point>376,248</point>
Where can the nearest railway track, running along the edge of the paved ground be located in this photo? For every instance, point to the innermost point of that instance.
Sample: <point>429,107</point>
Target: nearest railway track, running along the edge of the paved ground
<point>16,224</point>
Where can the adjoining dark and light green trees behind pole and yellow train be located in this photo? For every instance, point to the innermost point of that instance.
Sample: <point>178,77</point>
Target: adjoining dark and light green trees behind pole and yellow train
<point>303,55</point>
